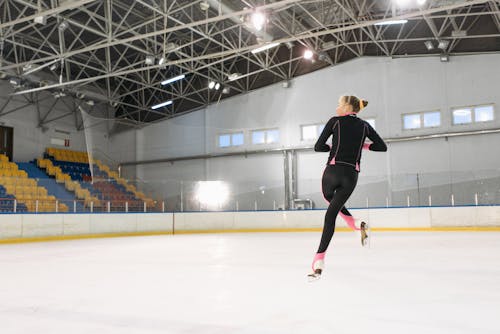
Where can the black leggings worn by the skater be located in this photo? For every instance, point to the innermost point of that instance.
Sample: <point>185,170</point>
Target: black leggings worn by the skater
<point>338,183</point>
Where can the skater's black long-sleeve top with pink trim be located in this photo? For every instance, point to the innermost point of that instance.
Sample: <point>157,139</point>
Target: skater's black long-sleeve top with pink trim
<point>349,134</point>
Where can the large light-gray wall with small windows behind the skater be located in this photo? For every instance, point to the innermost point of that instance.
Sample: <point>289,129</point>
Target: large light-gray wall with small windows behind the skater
<point>458,165</point>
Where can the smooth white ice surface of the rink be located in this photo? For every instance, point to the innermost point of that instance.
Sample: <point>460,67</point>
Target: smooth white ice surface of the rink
<point>425,283</point>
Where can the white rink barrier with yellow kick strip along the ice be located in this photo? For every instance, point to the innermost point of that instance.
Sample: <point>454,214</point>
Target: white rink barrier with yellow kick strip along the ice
<point>41,227</point>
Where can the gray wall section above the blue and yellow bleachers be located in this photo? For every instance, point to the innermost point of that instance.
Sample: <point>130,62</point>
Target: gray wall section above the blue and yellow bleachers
<point>30,140</point>
